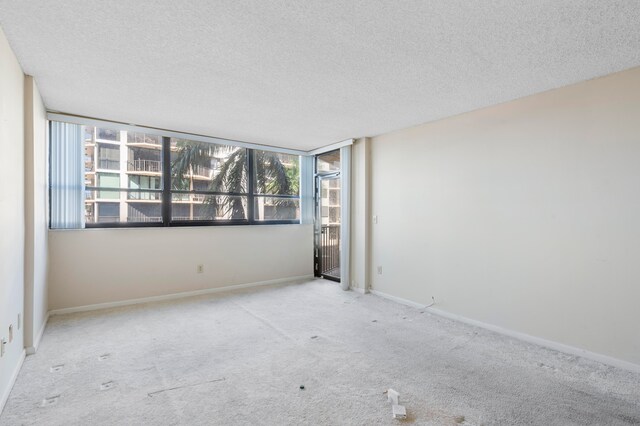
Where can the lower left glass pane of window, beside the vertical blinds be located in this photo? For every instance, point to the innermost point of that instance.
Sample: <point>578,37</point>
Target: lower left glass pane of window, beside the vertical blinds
<point>114,205</point>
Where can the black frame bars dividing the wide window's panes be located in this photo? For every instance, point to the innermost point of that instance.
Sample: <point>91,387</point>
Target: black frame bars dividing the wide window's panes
<point>167,192</point>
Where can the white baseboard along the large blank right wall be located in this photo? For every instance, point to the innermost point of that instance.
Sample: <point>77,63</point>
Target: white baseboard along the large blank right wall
<point>560,347</point>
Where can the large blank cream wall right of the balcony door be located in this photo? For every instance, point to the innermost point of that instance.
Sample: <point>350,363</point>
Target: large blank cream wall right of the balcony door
<point>524,215</point>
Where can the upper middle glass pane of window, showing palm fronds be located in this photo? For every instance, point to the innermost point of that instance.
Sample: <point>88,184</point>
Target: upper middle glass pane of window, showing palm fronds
<point>208,167</point>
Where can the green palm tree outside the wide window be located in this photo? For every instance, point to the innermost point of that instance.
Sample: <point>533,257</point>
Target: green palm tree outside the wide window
<point>272,176</point>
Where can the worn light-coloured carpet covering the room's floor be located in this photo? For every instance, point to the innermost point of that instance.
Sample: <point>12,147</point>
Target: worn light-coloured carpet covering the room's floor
<point>240,358</point>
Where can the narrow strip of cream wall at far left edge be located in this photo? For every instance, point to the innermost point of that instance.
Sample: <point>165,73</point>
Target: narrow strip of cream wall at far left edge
<point>11,212</point>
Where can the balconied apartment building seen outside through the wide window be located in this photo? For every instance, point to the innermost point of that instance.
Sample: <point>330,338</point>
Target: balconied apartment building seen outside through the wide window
<point>123,177</point>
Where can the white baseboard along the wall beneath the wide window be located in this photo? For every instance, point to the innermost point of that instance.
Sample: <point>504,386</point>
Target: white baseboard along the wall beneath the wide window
<point>176,295</point>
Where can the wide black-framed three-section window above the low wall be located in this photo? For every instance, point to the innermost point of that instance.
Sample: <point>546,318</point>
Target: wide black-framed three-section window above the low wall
<point>206,183</point>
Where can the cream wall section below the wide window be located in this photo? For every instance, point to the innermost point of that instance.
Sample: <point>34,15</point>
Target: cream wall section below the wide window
<point>94,266</point>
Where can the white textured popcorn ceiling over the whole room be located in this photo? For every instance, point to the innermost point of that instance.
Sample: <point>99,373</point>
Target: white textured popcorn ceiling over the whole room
<point>303,74</point>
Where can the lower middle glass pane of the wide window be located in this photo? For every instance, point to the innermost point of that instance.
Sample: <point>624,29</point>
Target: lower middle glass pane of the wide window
<point>208,207</point>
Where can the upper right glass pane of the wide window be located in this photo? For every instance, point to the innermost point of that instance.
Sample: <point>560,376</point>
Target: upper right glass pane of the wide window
<point>276,173</point>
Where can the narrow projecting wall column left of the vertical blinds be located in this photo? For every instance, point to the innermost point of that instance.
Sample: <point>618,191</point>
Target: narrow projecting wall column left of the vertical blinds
<point>35,271</point>
